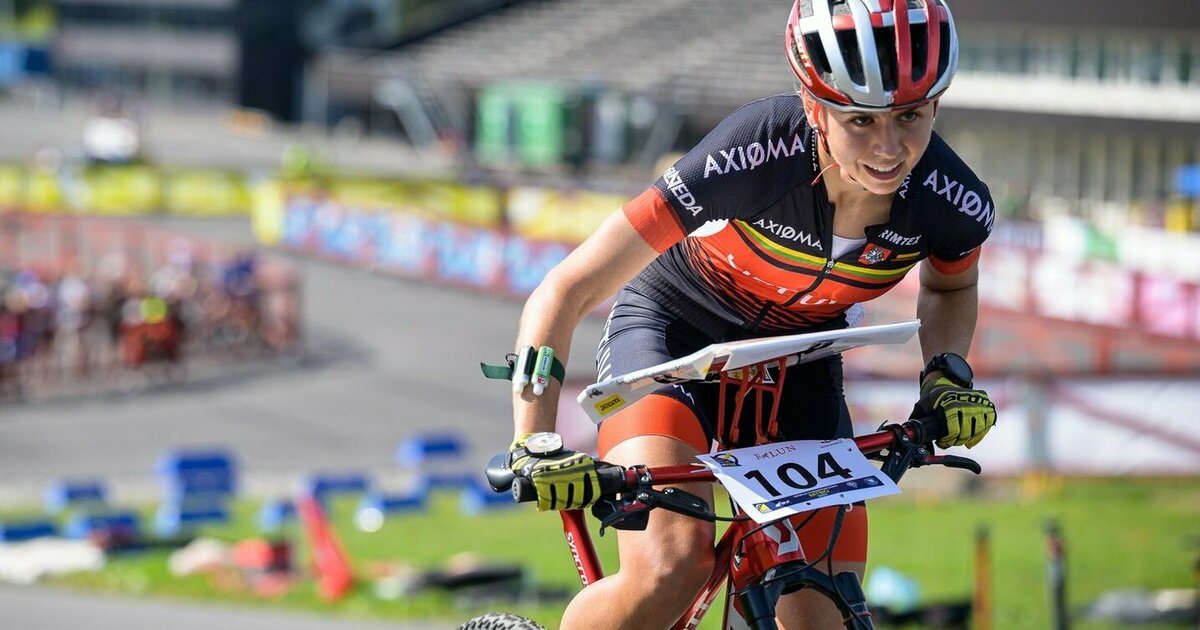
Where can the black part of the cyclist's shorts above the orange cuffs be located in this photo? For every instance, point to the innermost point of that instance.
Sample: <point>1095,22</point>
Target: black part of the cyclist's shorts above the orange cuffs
<point>641,333</point>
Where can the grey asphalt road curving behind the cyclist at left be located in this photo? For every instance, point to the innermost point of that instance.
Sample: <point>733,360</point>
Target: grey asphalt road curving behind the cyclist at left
<point>385,358</point>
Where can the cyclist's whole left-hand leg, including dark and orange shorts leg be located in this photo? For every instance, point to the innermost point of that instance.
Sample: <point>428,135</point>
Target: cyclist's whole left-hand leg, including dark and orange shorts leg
<point>663,568</point>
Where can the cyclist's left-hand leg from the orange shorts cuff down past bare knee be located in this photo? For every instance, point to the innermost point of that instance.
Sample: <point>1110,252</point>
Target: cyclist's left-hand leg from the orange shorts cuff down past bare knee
<point>664,567</point>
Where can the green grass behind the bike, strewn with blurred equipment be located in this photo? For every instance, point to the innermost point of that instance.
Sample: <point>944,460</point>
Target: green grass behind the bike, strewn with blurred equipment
<point>1119,533</point>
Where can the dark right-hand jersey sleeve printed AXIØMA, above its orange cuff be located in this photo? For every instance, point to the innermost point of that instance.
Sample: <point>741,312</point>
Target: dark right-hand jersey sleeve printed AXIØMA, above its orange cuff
<point>947,189</point>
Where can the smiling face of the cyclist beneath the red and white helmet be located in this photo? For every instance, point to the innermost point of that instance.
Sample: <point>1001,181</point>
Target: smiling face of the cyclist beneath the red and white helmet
<point>879,149</point>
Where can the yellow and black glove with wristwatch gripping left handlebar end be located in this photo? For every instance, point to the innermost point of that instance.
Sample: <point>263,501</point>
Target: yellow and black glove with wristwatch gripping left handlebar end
<point>565,481</point>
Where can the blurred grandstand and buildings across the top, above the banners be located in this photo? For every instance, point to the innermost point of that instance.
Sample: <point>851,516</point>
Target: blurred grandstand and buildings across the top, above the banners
<point>1082,107</point>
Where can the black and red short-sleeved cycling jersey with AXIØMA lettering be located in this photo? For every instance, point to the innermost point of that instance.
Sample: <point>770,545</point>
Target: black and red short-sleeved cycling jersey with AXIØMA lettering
<point>771,268</point>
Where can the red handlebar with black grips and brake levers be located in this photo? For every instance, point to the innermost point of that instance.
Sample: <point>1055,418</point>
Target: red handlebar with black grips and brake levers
<point>914,435</point>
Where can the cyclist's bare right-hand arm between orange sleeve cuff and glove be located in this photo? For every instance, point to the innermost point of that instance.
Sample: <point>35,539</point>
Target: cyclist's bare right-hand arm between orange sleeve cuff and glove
<point>947,307</point>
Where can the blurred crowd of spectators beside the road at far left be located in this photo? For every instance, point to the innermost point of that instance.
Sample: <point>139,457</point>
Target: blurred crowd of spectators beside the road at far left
<point>77,327</point>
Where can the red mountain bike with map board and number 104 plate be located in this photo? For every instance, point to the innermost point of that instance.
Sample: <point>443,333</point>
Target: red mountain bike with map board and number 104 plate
<point>759,557</point>
